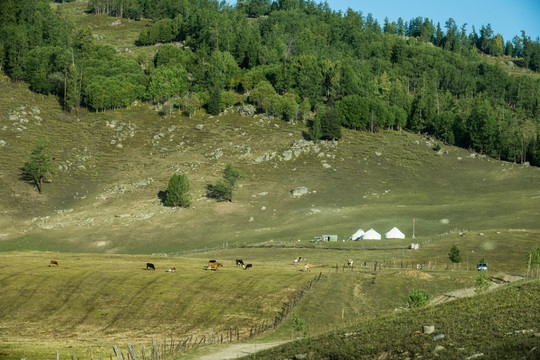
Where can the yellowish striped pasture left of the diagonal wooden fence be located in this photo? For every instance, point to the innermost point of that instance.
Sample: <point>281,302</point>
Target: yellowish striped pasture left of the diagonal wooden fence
<point>101,300</point>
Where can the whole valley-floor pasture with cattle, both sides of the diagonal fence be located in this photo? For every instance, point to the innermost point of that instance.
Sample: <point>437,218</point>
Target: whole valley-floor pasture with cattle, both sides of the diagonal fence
<point>104,299</point>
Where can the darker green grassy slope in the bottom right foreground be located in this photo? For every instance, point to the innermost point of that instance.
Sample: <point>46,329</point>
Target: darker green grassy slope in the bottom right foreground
<point>502,324</point>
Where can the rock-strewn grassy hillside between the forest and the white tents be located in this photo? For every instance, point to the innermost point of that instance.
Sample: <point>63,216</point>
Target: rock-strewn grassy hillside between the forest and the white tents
<point>109,169</point>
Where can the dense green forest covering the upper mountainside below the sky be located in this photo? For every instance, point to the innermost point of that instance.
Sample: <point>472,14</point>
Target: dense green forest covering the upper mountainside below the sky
<point>293,59</point>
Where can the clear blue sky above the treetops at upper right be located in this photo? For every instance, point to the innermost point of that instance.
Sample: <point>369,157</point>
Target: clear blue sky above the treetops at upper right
<point>507,17</point>
